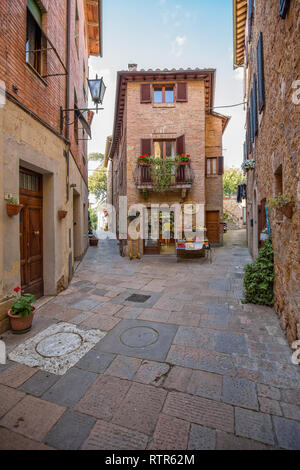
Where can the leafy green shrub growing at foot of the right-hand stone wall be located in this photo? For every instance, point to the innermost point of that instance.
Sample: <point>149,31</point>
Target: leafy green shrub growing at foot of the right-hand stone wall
<point>259,277</point>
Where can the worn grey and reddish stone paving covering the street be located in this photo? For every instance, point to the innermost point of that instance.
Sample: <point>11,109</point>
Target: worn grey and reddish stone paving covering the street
<point>183,365</point>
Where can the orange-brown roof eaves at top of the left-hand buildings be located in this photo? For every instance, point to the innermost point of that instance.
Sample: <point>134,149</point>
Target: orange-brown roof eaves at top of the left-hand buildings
<point>94,14</point>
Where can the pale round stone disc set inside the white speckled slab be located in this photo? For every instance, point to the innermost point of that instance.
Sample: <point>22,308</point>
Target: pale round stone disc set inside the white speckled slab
<point>59,344</point>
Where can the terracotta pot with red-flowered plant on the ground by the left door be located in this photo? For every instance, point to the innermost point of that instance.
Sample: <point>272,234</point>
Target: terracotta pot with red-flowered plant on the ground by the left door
<point>22,312</point>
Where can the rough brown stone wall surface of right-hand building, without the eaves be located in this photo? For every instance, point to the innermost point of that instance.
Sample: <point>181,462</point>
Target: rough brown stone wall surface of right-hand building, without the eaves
<point>277,146</point>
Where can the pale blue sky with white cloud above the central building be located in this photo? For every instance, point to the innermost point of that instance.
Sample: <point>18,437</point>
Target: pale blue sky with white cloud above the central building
<point>170,34</point>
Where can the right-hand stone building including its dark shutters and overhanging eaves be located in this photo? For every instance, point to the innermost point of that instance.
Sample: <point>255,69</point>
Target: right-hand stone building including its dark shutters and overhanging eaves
<point>267,45</point>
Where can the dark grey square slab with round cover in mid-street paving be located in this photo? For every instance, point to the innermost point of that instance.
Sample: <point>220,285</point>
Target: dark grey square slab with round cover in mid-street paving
<point>155,339</point>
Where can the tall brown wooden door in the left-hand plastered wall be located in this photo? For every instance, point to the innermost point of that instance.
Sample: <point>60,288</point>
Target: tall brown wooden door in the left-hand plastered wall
<point>31,233</point>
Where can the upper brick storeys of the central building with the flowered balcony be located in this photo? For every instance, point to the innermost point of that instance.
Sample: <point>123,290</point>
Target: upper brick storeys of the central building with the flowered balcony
<point>164,113</point>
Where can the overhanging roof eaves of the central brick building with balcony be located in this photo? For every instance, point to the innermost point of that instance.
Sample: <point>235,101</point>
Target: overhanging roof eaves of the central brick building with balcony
<point>208,75</point>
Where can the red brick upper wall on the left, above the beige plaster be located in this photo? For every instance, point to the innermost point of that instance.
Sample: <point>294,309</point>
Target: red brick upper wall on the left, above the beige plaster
<point>45,96</point>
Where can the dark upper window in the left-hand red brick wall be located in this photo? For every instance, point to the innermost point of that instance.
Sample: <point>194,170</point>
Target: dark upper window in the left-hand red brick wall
<point>34,38</point>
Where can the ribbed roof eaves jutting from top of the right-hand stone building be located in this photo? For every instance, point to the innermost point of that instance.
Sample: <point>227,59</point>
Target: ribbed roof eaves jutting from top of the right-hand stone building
<point>240,8</point>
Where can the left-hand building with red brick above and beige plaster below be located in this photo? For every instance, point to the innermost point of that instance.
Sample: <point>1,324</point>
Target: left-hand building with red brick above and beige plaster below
<point>45,47</point>
